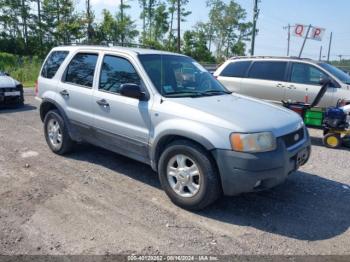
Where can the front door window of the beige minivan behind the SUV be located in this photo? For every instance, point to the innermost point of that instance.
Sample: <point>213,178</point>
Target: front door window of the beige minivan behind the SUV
<point>306,74</point>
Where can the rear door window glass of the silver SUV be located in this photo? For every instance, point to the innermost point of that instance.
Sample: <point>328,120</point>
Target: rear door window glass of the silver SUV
<point>81,69</point>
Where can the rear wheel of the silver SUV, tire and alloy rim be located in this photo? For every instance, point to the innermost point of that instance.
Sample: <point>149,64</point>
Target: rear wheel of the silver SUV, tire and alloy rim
<point>65,143</point>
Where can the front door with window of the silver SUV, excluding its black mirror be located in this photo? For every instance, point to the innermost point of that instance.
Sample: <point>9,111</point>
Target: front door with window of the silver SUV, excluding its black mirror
<point>122,123</point>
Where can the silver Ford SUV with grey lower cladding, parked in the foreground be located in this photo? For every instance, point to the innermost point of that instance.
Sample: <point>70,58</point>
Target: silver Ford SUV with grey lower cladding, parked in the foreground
<point>167,111</point>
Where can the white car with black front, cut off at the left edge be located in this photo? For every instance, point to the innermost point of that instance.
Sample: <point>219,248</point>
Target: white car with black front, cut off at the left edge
<point>11,91</point>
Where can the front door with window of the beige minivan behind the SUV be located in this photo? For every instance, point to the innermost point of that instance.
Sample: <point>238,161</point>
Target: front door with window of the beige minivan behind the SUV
<point>304,85</point>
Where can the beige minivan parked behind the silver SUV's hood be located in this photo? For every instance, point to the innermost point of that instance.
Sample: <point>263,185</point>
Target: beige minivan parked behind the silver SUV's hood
<point>276,79</point>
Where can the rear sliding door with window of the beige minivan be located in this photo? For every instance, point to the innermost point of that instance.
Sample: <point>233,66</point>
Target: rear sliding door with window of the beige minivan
<point>265,80</point>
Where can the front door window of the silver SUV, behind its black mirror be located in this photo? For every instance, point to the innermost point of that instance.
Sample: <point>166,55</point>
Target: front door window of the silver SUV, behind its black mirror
<point>115,72</point>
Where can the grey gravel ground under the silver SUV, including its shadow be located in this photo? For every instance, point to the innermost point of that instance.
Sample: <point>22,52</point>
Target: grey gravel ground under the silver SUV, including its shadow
<point>97,202</point>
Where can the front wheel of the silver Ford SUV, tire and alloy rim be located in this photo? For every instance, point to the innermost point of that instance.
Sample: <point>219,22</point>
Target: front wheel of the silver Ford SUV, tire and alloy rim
<point>203,187</point>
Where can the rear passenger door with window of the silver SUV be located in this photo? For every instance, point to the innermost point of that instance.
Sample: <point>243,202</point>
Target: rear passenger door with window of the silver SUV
<point>76,90</point>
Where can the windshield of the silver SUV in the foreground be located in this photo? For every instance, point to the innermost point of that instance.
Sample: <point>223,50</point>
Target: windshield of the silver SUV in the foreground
<point>180,76</point>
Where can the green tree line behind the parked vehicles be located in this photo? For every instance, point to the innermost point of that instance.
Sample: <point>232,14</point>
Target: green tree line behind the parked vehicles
<point>33,27</point>
